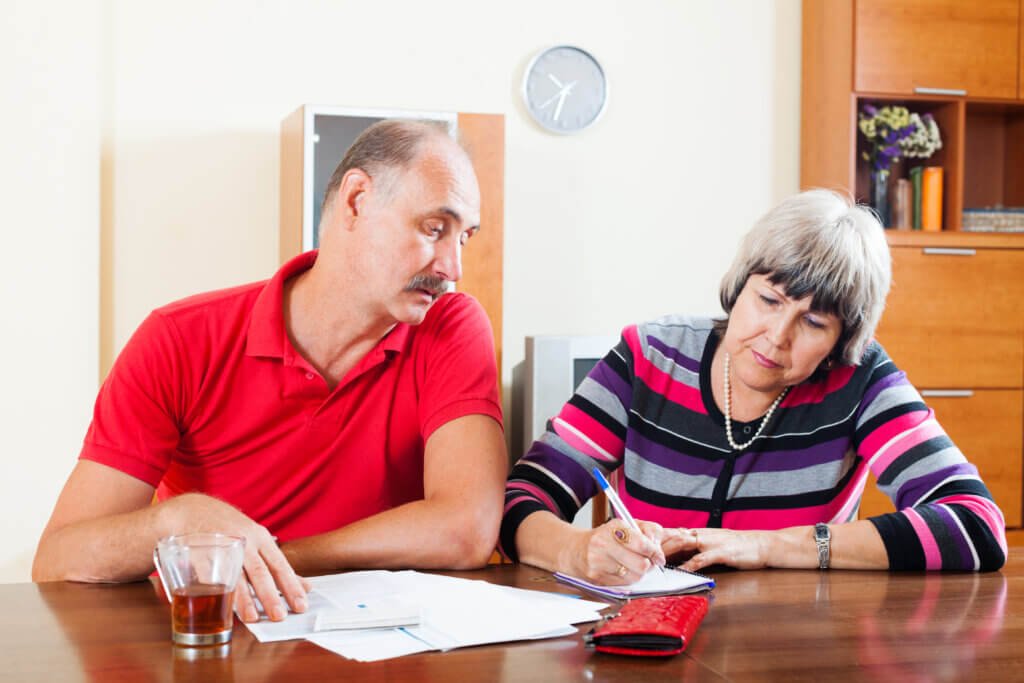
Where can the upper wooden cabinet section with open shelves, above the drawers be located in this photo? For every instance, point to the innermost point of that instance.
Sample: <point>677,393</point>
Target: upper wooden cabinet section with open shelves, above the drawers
<point>882,53</point>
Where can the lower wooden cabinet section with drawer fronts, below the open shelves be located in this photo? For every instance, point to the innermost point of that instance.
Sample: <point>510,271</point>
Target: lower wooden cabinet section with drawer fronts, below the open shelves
<point>955,324</point>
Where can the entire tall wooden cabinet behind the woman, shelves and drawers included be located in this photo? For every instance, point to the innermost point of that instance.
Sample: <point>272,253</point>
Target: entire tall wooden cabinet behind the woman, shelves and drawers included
<point>955,319</point>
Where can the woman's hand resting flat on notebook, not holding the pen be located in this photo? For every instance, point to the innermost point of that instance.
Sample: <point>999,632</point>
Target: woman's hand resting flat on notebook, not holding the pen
<point>704,547</point>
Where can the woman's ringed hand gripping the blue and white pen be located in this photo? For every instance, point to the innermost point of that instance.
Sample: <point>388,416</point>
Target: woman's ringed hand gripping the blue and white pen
<point>615,554</point>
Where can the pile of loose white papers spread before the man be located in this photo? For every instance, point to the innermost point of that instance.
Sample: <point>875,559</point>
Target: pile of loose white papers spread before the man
<point>454,613</point>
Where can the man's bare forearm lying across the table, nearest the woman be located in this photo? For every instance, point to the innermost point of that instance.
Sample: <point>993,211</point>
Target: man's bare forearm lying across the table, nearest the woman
<point>421,535</point>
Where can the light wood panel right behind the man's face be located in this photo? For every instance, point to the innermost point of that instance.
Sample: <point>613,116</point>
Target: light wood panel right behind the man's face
<point>483,268</point>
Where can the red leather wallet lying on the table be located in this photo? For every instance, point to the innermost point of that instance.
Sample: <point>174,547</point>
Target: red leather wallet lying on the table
<point>651,627</point>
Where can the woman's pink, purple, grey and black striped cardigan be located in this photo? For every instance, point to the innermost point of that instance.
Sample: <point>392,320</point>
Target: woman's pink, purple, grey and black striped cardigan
<point>647,413</point>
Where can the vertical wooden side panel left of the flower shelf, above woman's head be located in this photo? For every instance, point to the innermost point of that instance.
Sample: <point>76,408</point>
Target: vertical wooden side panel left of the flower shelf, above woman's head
<point>826,160</point>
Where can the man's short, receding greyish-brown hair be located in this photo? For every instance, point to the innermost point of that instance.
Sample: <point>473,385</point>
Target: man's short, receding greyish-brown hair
<point>386,147</point>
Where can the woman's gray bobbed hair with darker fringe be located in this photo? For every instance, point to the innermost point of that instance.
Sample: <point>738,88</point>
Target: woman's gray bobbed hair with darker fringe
<point>821,244</point>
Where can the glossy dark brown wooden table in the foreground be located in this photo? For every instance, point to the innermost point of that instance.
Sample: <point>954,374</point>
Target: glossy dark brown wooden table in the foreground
<point>771,625</point>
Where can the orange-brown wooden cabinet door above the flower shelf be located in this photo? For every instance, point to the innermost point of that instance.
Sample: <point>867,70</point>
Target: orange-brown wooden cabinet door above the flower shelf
<point>902,46</point>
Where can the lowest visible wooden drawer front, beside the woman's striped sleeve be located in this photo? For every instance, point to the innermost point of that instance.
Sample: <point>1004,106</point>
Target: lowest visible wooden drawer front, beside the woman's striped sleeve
<point>987,428</point>
